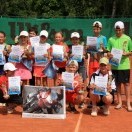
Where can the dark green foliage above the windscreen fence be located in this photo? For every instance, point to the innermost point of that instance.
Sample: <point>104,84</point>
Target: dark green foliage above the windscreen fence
<point>65,8</point>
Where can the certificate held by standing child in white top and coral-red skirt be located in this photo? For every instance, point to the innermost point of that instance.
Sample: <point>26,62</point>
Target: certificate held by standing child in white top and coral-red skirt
<point>40,51</point>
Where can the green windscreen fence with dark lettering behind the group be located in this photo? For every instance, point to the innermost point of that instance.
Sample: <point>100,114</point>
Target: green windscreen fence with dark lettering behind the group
<point>13,26</point>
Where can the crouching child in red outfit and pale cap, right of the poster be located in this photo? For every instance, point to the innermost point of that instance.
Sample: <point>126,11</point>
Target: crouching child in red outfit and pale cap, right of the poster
<point>73,96</point>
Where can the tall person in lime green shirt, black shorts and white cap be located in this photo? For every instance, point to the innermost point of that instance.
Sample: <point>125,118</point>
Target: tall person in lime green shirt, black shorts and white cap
<point>122,71</point>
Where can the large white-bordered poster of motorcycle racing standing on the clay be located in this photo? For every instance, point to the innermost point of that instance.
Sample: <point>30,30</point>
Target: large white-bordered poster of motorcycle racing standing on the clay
<point>44,102</point>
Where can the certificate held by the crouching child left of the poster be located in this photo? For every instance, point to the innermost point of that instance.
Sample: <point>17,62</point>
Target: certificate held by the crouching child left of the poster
<point>14,85</point>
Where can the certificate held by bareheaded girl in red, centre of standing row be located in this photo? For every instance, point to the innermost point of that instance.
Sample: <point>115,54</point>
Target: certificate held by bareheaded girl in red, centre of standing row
<point>58,53</point>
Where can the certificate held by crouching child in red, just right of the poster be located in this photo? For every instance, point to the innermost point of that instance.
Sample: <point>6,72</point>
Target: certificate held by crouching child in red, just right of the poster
<point>68,79</point>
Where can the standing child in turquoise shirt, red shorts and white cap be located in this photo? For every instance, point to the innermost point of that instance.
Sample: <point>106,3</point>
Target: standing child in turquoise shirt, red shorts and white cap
<point>101,43</point>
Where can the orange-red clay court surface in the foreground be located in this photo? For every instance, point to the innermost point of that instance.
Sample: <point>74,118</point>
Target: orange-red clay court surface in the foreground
<point>117,121</point>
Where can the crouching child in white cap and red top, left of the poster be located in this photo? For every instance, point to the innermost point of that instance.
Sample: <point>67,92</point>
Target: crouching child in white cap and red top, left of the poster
<point>10,99</point>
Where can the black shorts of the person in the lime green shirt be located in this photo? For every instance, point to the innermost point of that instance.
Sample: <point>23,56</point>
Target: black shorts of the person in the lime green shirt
<point>121,76</point>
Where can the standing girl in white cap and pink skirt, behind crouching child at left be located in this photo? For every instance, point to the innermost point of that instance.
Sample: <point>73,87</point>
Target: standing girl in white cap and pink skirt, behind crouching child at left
<point>24,68</point>
